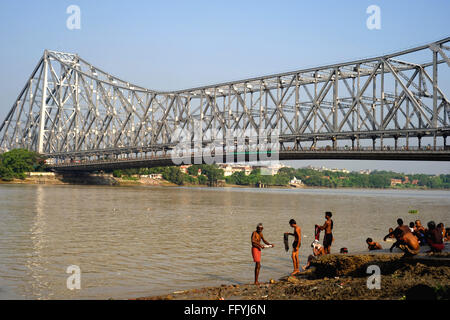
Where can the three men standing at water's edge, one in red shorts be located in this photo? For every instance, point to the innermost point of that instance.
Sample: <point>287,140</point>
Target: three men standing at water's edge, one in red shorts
<point>317,248</point>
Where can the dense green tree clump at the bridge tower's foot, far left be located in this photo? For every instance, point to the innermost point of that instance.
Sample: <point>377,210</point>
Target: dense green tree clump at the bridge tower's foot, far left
<point>15,163</point>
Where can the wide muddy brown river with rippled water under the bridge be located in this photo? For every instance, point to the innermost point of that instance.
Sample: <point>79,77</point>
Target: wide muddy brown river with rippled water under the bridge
<point>140,241</point>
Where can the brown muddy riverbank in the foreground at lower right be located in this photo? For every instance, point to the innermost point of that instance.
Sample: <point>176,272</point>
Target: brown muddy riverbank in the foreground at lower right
<point>343,277</point>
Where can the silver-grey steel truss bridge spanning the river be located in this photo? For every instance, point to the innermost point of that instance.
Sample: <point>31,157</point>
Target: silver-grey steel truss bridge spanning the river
<point>377,108</point>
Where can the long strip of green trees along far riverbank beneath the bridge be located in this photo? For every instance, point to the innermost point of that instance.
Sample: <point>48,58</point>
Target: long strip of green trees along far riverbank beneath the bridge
<point>210,174</point>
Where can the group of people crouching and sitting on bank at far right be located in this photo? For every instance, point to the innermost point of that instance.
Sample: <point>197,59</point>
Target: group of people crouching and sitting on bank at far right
<point>410,238</point>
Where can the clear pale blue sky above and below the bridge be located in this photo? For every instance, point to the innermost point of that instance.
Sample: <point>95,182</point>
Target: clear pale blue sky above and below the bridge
<point>168,45</point>
